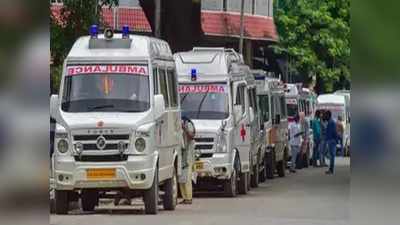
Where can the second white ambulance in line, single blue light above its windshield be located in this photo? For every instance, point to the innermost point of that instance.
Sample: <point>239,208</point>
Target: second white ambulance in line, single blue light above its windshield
<point>218,93</point>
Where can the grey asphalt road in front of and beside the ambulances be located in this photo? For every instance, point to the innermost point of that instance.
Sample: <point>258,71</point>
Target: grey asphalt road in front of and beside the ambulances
<point>308,197</point>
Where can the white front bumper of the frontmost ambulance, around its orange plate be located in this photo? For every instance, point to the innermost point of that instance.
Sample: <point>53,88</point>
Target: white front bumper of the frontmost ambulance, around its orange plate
<point>137,172</point>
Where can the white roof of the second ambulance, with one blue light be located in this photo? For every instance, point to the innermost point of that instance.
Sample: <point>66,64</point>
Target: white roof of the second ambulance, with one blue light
<point>210,64</point>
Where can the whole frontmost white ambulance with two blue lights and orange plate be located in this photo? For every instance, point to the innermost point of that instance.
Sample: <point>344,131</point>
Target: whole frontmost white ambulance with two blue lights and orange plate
<point>118,128</point>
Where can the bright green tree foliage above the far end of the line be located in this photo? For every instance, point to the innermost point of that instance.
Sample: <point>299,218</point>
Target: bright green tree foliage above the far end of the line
<point>316,36</point>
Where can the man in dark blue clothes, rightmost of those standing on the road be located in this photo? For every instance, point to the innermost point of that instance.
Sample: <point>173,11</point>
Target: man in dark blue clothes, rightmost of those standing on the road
<point>331,140</point>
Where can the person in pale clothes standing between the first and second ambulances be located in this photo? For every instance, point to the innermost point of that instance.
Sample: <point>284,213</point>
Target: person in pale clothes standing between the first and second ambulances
<point>185,181</point>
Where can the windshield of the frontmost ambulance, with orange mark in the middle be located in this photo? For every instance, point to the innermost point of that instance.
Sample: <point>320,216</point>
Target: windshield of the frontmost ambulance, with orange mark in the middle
<point>106,92</point>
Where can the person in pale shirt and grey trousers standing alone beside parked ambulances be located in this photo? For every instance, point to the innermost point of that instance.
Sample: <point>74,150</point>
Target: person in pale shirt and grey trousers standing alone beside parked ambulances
<point>295,141</point>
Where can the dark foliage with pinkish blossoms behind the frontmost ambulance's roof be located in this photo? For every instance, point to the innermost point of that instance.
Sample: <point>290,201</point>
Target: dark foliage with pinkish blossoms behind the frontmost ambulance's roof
<point>74,21</point>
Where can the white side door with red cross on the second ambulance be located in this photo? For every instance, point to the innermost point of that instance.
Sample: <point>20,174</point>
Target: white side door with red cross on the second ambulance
<point>242,130</point>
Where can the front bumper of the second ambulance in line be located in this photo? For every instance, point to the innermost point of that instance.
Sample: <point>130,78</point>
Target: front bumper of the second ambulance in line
<point>219,166</point>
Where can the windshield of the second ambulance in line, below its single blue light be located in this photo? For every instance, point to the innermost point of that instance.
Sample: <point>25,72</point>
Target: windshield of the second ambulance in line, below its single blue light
<point>204,101</point>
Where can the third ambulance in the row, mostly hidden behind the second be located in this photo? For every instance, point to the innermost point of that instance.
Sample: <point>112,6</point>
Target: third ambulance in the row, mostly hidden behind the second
<point>274,124</point>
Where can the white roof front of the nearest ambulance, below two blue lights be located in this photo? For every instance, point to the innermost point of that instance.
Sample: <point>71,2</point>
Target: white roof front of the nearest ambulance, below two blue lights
<point>141,47</point>
